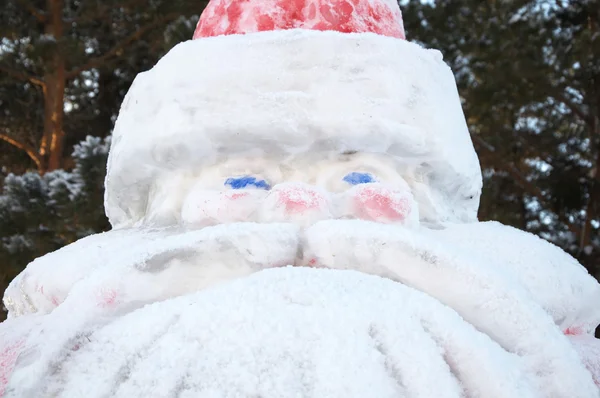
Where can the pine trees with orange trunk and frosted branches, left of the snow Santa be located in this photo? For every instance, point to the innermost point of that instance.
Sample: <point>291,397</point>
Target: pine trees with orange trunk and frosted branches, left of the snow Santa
<point>91,51</point>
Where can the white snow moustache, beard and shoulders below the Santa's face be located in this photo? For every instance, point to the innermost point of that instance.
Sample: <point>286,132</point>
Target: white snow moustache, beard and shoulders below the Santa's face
<point>445,311</point>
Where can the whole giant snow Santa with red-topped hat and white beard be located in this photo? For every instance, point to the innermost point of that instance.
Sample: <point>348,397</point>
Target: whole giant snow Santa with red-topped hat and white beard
<point>293,198</point>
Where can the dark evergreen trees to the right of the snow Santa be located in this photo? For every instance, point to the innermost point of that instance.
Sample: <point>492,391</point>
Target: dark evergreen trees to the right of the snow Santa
<point>528,73</point>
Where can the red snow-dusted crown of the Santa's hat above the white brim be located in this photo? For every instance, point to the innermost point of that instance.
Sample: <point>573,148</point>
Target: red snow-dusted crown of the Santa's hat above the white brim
<point>228,17</point>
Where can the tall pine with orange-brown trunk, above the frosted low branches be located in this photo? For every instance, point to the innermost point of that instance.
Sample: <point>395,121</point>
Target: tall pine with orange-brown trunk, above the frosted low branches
<point>65,66</point>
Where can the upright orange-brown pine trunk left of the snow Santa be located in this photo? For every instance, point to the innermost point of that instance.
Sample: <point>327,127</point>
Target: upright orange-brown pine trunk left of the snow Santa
<point>52,146</point>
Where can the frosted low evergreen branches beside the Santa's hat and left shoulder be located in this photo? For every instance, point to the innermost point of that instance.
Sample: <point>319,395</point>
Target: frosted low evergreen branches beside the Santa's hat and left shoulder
<point>42,213</point>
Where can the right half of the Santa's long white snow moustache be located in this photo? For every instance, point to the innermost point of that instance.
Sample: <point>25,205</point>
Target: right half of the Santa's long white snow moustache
<point>490,299</point>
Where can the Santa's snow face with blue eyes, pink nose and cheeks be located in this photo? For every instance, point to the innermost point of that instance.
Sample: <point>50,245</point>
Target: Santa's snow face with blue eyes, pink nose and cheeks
<point>301,190</point>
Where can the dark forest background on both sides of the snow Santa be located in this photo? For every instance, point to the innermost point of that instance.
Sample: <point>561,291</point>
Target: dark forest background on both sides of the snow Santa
<point>528,73</point>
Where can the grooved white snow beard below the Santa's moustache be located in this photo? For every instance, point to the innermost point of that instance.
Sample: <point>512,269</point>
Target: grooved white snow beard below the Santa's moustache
<point>279,333</point>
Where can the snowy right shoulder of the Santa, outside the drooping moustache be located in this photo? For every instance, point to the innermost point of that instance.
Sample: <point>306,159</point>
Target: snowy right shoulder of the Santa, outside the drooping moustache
<point>553,278</point>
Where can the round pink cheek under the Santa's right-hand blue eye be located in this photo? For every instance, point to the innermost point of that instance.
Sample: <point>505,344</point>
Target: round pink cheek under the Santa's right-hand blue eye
<point>379,205</point>
